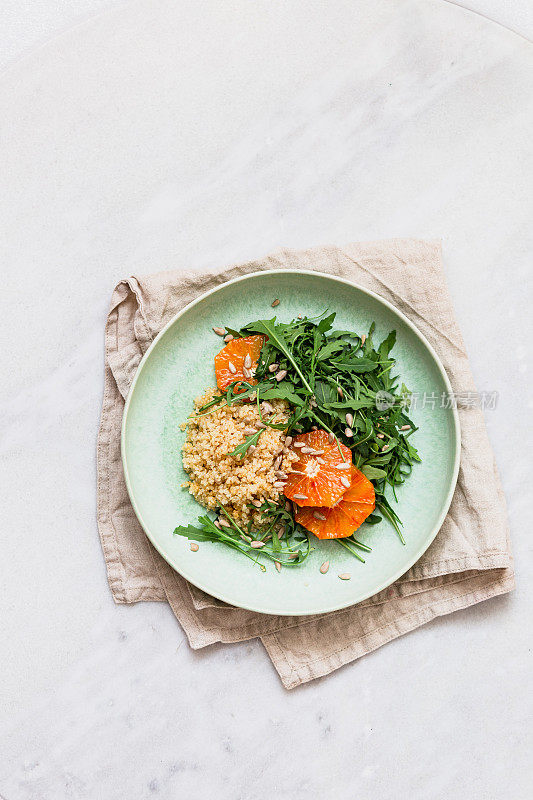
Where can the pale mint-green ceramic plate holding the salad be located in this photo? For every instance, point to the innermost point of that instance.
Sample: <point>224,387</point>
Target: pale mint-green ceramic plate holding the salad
<point>177,368</point>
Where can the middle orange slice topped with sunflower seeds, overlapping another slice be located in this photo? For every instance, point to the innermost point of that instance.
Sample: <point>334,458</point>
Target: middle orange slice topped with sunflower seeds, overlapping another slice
<point>315,479</point>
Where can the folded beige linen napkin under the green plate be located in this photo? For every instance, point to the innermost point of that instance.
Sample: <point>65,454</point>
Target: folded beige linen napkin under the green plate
<point>470,559</point>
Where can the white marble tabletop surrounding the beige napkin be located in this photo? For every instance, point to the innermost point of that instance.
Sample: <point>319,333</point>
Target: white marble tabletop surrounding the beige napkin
<point>157,135</point>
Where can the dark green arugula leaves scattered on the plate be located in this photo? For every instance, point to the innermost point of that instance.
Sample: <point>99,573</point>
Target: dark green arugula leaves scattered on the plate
<point>330,374</point>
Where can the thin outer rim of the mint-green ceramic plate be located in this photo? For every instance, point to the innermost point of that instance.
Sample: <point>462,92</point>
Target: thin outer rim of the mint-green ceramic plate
<point>455,415</point>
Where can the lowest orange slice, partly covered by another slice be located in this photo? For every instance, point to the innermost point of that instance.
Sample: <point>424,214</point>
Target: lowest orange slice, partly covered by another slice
<point>346,516</point>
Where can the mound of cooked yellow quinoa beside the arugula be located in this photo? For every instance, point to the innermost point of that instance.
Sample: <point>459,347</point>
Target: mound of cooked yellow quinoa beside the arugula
<point>218,479</point>
